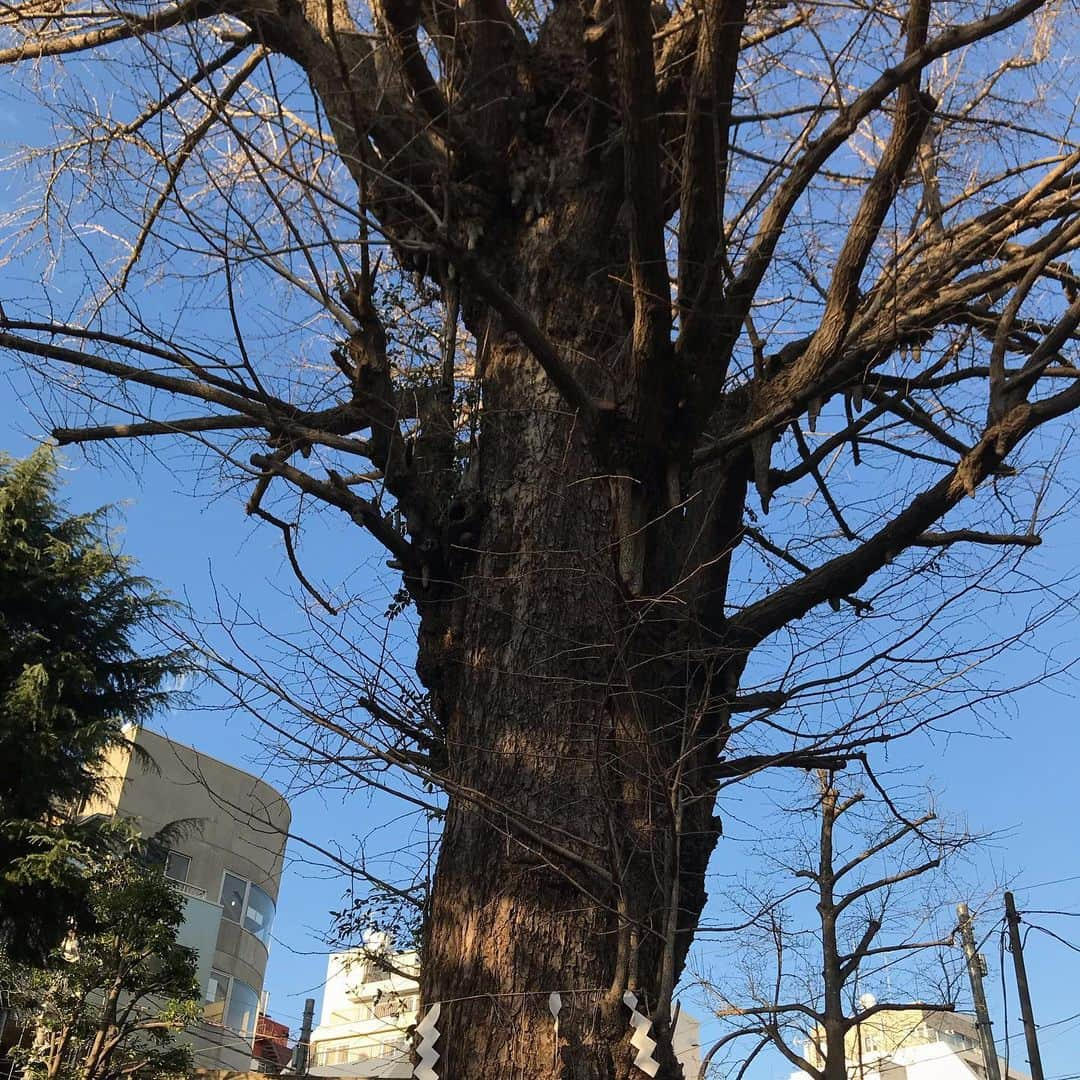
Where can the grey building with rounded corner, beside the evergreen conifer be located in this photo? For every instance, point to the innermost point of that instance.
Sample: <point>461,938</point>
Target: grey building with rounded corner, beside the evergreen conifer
<point>229,856</point>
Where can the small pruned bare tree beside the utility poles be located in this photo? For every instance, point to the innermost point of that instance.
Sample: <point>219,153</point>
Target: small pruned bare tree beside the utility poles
<point>854,903</point>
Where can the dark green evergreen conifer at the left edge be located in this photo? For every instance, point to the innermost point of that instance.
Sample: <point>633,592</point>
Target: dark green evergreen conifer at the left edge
<point>72,677</point>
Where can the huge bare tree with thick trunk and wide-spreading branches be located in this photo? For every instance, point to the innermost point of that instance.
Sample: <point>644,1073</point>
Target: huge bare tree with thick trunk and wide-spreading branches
<point>694,366</point>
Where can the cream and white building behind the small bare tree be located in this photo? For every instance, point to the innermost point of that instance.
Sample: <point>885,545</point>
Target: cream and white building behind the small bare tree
<point>913,1045</point>
